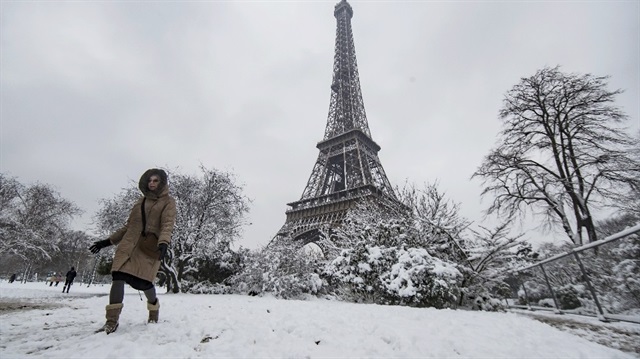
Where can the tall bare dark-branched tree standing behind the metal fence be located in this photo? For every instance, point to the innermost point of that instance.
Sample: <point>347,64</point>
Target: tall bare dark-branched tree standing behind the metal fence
<point>563,152</point>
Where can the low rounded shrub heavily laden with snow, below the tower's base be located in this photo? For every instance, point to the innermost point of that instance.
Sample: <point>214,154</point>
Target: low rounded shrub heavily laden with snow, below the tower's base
<point>394,275</point>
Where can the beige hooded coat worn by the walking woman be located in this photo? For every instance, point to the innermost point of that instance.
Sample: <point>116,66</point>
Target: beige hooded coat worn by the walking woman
<point>138,254</point>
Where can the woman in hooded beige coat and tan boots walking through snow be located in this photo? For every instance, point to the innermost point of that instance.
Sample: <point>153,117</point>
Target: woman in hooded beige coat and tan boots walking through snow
<point>141,245</point>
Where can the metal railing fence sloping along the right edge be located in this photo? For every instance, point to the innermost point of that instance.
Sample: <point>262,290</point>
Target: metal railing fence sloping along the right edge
<point>597,279</point>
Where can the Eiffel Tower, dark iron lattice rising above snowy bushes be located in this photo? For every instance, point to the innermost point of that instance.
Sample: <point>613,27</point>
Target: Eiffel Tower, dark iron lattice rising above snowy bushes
<point>348,169</point>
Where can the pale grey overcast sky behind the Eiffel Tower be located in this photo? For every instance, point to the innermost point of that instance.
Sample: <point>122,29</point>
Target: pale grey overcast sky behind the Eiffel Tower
<point>94,93</point>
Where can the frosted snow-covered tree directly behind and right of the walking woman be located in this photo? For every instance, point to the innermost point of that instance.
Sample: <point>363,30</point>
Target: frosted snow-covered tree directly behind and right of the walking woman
<point>210,215</point>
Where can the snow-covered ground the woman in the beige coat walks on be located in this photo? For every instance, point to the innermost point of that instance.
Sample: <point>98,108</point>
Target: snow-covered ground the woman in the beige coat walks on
<point>230,326</point>
